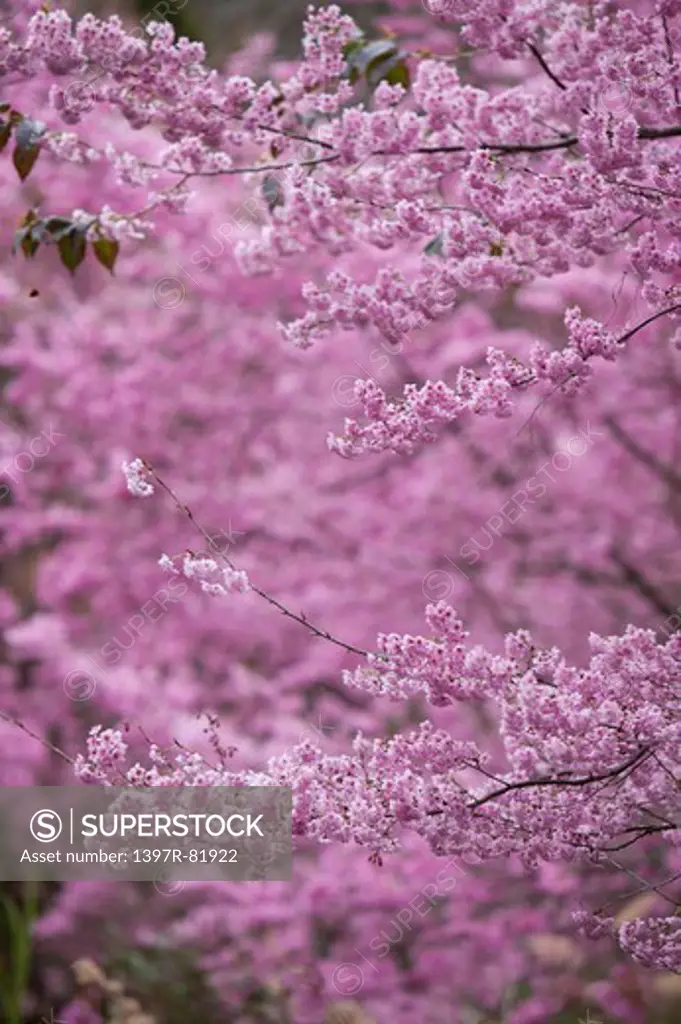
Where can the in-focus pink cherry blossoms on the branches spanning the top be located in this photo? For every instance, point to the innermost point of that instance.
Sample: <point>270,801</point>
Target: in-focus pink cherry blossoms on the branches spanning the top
<point>491,196</point>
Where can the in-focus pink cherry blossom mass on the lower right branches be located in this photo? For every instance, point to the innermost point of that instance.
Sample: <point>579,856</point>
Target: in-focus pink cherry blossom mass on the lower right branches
<point>591,753</point>
